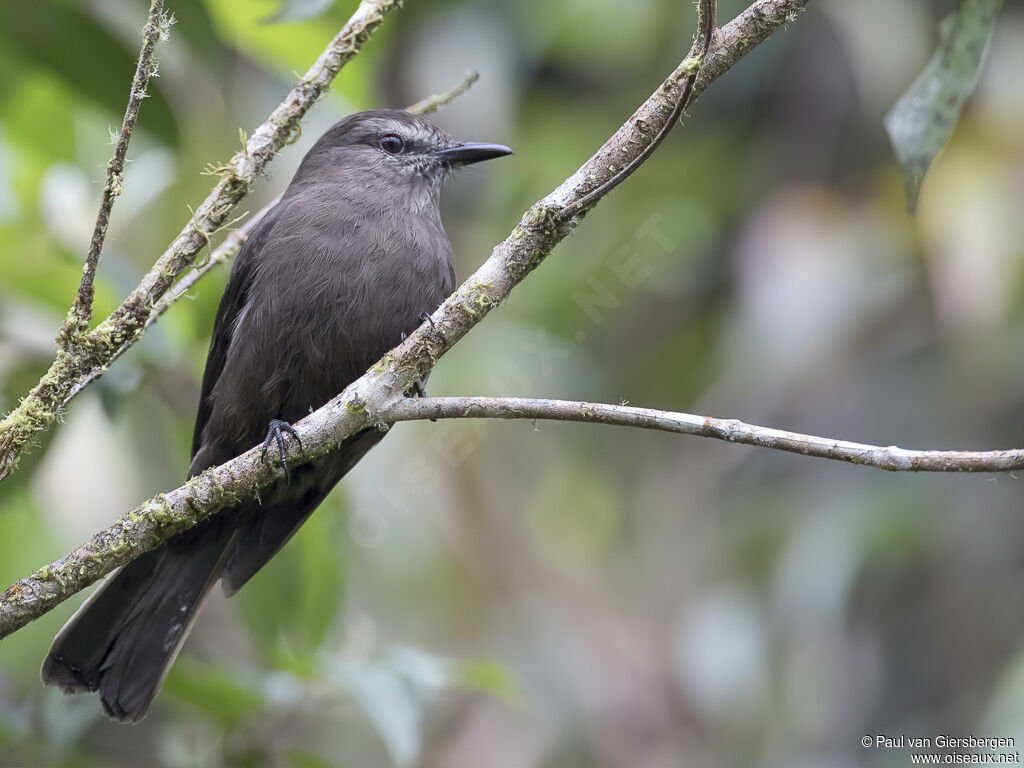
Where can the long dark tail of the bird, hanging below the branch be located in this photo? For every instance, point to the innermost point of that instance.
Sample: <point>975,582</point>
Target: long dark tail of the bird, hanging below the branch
<point>124,638</point>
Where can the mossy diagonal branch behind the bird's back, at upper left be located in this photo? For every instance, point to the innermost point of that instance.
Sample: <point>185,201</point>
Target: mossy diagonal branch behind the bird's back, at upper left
<point>92,354</point>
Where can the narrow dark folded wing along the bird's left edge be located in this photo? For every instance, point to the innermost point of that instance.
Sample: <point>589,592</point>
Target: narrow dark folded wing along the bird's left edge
<point>231,306</point>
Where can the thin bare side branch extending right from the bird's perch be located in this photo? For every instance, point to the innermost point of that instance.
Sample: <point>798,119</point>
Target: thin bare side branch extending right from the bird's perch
<point>732,431</point>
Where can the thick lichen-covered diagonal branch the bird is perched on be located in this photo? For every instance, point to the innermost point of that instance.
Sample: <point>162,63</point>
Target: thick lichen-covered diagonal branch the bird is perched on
<point>361,406</point>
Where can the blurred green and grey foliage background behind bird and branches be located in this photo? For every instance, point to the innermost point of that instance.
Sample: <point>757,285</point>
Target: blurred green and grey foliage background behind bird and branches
<point>513,594</point>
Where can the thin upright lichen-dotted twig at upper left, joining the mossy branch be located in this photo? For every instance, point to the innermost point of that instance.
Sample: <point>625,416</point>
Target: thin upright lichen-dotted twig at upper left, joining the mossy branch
<point>81,311</point>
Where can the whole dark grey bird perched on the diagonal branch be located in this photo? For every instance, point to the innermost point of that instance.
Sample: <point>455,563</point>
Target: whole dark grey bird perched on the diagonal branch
<point>348,263</point>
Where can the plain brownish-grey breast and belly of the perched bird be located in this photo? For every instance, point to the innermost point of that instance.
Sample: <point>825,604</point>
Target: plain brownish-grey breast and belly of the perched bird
<point>343,293</point>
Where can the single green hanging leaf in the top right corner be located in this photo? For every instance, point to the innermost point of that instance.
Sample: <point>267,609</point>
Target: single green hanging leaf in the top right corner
<point>923,120</point>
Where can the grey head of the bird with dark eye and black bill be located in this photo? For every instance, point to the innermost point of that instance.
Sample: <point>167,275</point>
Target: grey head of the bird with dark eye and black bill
<point>382,147</point>
